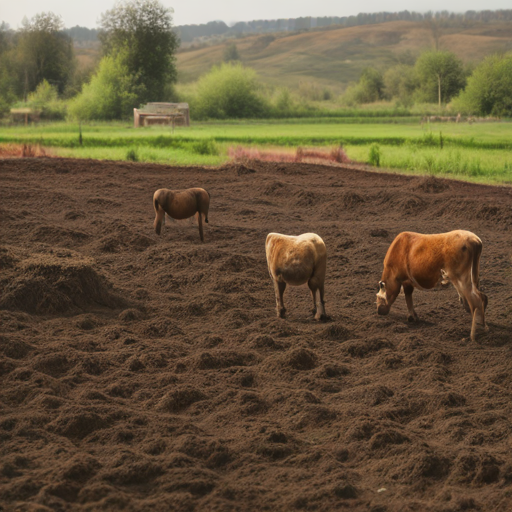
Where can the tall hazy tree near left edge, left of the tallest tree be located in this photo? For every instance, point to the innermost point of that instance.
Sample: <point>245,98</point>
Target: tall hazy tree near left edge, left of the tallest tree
<point>45,52</point>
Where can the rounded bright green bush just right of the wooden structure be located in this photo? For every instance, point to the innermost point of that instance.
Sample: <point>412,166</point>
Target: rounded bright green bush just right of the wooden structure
<point>229,91</point>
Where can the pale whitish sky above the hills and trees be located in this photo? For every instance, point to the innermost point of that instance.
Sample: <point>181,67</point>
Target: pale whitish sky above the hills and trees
<point>86,13</point>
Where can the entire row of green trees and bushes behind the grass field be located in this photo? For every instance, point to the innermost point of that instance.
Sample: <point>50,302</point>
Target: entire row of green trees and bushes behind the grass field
<point>38,69</point>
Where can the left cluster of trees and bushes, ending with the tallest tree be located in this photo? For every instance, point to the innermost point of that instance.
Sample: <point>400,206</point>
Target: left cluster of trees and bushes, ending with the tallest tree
<point>138,45</point>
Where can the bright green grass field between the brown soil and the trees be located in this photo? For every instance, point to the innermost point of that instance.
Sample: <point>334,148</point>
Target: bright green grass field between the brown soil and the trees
<point>479,152</point>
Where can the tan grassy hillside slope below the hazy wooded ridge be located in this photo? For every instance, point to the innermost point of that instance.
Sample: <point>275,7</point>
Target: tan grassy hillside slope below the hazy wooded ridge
<point>337,56</point>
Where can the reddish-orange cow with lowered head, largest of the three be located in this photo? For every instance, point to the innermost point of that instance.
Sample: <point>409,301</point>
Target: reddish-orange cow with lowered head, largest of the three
<point>420,261</point>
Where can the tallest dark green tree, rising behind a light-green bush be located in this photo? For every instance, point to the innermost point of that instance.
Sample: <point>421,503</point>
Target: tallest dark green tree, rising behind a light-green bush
<point>142,31</point>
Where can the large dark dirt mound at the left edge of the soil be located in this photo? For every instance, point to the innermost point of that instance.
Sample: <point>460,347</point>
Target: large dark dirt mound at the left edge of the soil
<point>58,283</point>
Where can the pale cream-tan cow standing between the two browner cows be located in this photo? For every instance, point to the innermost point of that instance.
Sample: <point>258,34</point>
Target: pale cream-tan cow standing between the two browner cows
<point>296,260</point>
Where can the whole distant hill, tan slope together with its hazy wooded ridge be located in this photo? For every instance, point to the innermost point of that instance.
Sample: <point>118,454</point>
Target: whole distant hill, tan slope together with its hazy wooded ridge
<point>331,51</point>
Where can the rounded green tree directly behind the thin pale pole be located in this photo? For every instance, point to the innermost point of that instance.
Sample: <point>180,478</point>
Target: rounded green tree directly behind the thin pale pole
<point>441,75</point>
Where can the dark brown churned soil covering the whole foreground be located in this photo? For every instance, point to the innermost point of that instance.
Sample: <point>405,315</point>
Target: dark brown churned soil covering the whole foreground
<point>151,373</point>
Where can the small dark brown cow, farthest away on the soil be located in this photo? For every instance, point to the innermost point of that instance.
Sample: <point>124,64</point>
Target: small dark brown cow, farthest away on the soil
<point>181,204</point>
